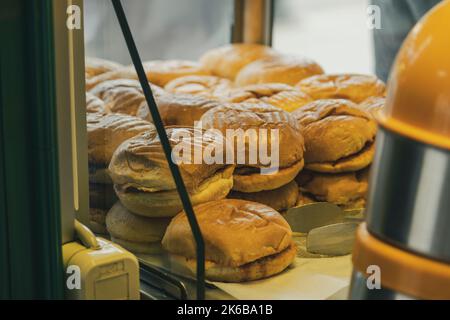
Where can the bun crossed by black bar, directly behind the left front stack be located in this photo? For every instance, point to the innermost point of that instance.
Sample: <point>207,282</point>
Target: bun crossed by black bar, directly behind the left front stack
<point>178,109</point>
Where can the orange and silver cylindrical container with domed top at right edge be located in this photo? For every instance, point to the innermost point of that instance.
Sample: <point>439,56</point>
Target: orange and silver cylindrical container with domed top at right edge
<point>405,242</point>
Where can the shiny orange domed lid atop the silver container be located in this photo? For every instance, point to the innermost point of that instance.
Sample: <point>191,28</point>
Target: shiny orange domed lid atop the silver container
<point>418,101</point>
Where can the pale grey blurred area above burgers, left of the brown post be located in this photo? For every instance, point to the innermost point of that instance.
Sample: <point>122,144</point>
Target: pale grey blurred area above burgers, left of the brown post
<point>162,29</point>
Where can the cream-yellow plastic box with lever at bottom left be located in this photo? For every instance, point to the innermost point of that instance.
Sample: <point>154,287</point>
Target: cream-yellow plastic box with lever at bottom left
<point>97,269</point>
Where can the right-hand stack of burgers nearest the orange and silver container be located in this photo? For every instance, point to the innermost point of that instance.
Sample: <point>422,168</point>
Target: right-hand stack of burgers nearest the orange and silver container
<point>339,138</point>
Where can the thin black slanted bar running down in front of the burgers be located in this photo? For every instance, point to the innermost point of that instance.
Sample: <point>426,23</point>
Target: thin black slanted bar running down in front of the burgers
<point>166,147</point>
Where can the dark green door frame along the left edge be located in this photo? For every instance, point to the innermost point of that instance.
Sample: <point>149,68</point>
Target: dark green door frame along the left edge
<point>30,237</point>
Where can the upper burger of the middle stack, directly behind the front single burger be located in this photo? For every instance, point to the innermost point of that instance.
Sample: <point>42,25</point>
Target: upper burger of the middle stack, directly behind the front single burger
<point>263,126</point>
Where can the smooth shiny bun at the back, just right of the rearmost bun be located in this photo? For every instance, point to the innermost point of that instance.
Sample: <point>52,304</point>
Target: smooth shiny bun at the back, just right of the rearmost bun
<point>282,69</point>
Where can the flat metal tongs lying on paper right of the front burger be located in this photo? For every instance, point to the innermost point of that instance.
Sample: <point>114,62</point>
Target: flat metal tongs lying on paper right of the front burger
<point>329,229</point>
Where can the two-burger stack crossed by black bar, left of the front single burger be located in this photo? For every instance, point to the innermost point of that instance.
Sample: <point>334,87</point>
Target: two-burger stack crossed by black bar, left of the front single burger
<point>147,191</point>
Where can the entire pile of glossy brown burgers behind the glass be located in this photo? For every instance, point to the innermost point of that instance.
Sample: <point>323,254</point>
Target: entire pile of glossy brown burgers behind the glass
<point>325,145</point>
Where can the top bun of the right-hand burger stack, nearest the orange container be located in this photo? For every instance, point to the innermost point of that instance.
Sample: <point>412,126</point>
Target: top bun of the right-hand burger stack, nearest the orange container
<point>334,129</point>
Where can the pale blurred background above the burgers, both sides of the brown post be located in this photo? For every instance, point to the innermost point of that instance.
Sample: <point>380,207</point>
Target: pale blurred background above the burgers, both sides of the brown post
<point>332,32</point>
